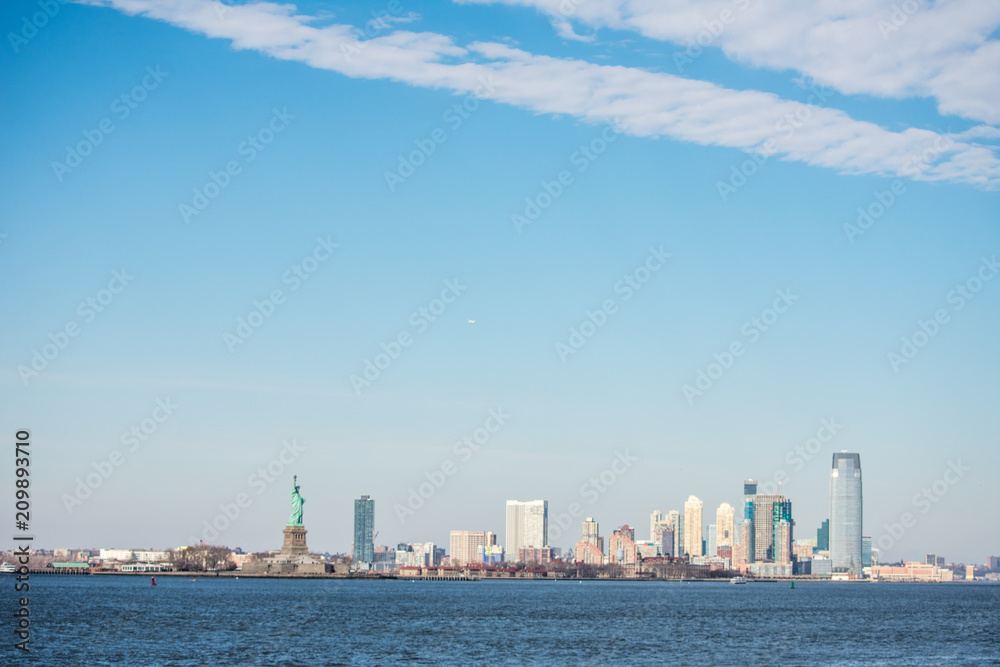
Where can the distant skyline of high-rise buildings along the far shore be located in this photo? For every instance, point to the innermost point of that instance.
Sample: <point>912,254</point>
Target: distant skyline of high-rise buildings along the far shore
<point>766,537</point>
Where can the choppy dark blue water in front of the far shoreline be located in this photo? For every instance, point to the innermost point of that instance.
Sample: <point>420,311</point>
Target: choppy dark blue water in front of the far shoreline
<point>101,620</point>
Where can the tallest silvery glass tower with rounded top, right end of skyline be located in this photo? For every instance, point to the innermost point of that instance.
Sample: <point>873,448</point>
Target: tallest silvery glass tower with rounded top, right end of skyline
<point>845,513</point>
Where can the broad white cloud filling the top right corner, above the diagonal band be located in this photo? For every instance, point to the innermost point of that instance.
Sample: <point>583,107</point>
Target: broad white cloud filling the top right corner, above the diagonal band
<point>906,48</point>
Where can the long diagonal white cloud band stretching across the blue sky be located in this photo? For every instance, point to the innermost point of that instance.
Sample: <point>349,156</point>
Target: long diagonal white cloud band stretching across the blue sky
<point>642,103</point>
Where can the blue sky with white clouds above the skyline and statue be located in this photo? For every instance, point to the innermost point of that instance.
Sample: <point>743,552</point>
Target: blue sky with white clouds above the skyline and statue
<point>558,83</point>
